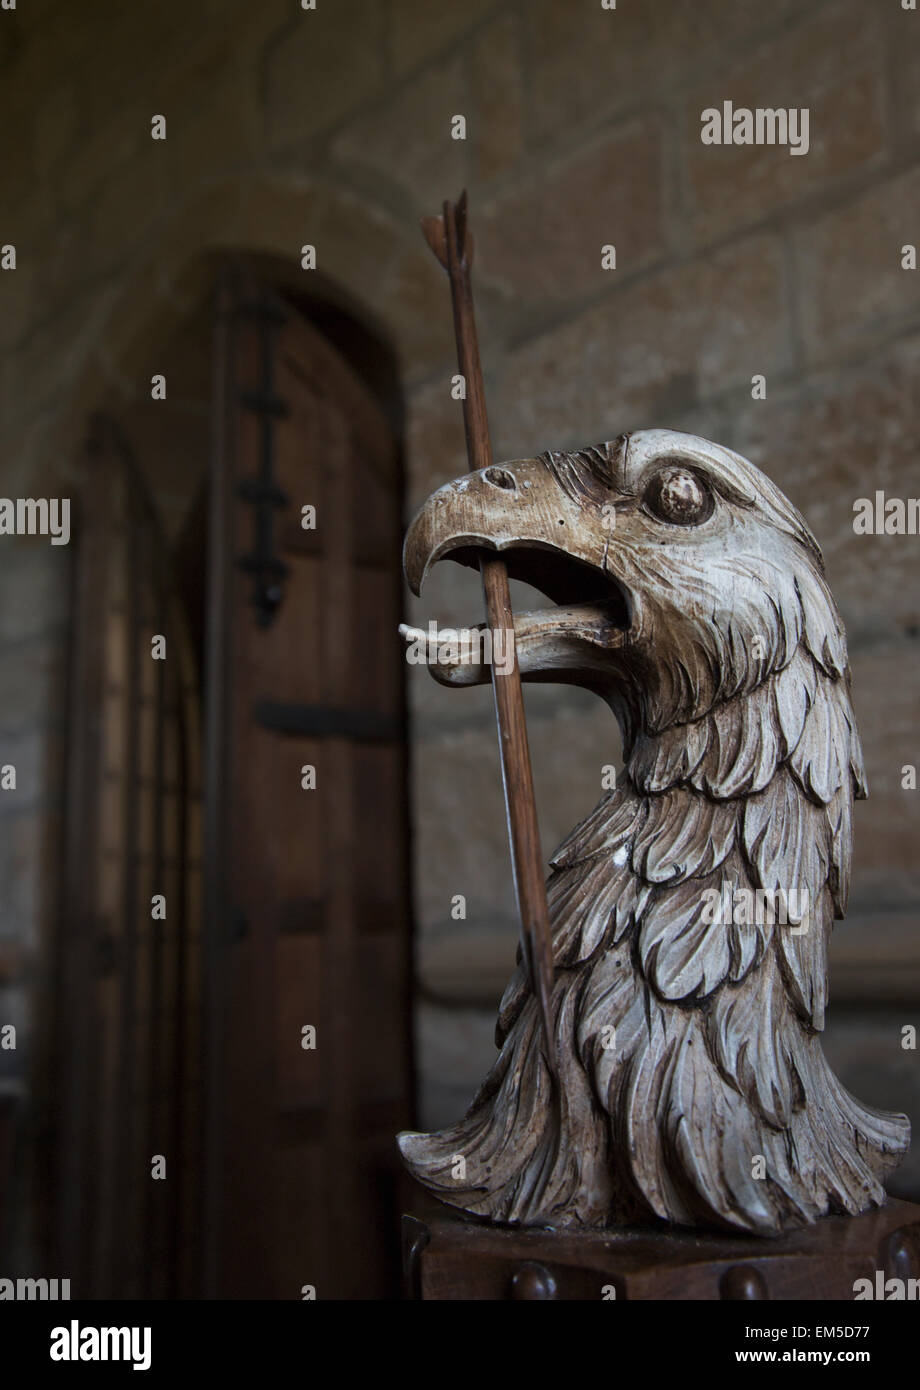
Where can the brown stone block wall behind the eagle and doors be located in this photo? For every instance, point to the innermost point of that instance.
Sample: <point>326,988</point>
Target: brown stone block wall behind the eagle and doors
<point>333,127</point>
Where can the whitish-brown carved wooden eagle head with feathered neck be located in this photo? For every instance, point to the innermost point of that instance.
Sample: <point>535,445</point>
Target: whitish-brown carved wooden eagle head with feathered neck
<point>691,911</point>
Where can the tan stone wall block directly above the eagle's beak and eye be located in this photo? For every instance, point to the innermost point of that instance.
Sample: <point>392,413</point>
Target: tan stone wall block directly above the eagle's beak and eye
<point>650,354</point>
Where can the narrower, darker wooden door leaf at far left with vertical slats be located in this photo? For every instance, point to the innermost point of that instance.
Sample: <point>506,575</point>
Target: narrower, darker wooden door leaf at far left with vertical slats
<point>127,1042</point>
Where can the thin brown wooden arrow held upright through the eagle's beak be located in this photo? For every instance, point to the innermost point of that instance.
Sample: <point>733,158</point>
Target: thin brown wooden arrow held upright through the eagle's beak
<point>452,244</point>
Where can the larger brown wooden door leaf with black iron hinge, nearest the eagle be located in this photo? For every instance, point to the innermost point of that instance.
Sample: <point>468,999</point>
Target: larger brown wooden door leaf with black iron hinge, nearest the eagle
<point>306,888</point>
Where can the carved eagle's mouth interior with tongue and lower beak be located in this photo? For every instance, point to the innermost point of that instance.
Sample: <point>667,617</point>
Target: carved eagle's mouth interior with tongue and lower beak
<point>587,608</point>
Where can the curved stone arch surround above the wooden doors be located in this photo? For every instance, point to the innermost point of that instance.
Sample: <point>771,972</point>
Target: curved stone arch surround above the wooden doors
<point>369,262</point>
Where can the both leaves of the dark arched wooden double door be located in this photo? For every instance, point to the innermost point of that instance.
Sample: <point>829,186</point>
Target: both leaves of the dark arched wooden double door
<point>258,1038</point>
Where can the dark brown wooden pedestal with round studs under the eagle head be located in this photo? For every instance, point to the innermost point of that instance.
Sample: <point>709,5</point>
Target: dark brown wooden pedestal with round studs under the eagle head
<point>447,1256</point>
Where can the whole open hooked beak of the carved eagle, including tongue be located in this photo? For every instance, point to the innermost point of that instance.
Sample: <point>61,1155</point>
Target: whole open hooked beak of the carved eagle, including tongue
<point>551,539</point>
